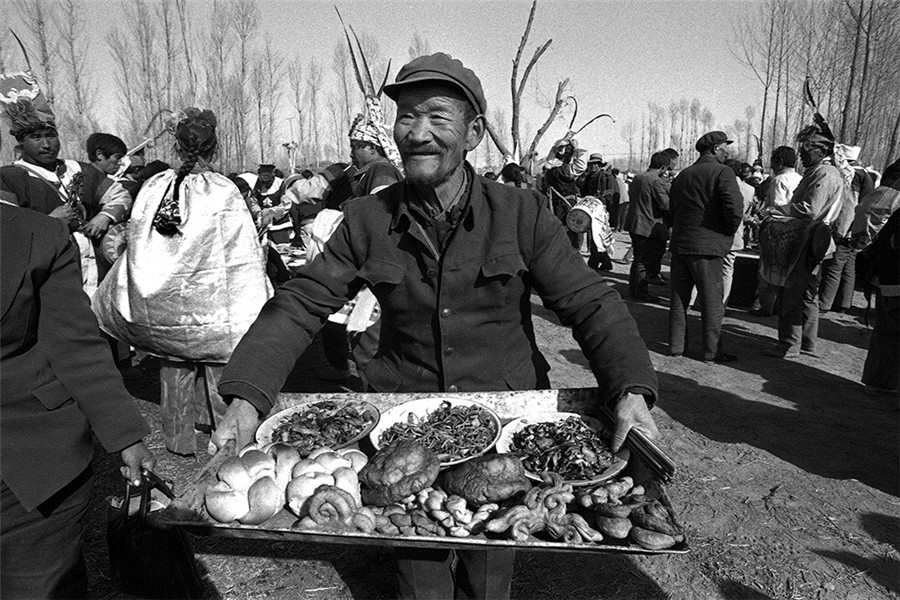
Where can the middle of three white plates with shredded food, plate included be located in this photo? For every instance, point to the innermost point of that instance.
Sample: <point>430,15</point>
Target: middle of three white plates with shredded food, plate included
<point>453,428</point>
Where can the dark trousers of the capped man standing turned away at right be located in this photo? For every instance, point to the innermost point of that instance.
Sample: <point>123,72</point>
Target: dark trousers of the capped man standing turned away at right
<point>704,272</point>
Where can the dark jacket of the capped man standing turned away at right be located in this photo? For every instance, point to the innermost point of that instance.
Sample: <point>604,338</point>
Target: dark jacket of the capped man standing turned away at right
<point>707,208</point>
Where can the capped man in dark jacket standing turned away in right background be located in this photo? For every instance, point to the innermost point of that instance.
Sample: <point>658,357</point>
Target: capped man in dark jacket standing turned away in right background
<point>707,209</point>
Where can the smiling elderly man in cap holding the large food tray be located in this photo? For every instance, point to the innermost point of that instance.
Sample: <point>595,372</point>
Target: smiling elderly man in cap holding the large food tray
<point>452,258</point>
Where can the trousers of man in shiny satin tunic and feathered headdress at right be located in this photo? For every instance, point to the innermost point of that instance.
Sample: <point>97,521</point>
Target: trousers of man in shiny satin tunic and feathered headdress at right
<point>798,315</point>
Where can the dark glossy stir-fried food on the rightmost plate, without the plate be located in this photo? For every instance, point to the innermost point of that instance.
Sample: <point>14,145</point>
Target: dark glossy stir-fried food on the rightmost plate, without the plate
<point>569,448</point>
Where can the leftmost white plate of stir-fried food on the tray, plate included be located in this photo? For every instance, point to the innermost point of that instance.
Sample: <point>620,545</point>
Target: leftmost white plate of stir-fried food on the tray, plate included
<point>334,424</point>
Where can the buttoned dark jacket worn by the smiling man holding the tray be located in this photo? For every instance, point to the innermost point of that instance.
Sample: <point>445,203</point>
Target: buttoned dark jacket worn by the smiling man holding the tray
<point>459,322</point>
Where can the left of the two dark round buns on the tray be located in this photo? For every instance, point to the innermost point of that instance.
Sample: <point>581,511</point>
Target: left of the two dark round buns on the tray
<point>396,471</point>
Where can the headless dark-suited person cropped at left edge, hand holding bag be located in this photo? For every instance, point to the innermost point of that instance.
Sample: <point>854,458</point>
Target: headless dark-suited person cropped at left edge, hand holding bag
<point>59,383</point>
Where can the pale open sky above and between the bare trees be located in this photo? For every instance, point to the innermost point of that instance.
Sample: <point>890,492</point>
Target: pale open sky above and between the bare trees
<point>619,55</point>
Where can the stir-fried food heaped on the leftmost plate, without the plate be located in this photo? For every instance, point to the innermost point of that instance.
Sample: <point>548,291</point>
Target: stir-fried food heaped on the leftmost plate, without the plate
<point>324,423</point>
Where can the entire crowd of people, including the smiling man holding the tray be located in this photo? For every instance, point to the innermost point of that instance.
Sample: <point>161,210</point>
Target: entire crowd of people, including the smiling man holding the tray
<point>414,266</point>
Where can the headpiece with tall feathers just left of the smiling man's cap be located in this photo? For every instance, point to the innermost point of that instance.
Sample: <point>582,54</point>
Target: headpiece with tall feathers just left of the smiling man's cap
<point>369,126</point>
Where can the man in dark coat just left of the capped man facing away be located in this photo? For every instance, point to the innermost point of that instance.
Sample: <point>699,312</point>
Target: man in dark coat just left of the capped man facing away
<point>647,223</point>
